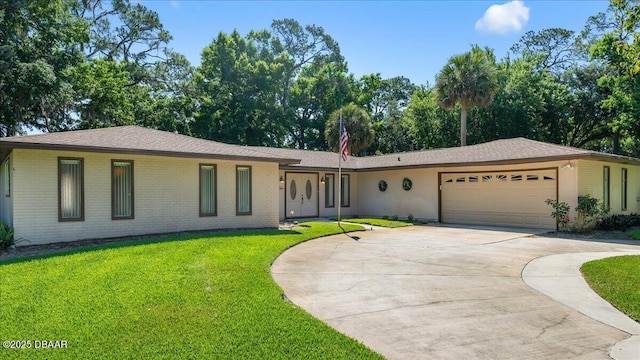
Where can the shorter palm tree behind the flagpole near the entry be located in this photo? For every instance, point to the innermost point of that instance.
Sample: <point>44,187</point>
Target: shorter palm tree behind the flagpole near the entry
<point>357,122</point>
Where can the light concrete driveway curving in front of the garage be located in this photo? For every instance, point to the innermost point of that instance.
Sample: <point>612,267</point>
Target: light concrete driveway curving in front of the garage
<point>443,292</point>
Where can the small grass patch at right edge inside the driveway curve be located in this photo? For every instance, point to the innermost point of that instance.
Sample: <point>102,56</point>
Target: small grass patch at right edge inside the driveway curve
<point>616,280</point>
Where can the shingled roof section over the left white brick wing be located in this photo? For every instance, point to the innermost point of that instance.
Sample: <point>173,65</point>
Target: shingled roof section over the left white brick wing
<point>139,140</point>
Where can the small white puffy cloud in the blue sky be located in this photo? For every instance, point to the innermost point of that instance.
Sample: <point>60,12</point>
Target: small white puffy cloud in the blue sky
<point>501,19</point>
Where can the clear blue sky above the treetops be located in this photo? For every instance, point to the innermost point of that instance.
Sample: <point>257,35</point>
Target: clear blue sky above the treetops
<point>395,38</point>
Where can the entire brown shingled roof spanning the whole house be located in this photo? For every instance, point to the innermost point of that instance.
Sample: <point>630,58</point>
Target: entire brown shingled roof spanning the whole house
<point>139,140</point>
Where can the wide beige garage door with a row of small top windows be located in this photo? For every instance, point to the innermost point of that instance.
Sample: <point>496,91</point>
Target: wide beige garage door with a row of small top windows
<point>509,198</point>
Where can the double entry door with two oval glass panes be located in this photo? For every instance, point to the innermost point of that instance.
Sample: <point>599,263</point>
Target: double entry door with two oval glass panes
<point>302,195</point>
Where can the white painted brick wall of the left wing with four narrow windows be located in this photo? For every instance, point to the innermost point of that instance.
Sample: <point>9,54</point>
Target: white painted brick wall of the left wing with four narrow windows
<point>166,192</point>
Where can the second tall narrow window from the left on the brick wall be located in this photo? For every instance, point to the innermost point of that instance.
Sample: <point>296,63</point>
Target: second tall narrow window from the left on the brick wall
<point>122,189</point>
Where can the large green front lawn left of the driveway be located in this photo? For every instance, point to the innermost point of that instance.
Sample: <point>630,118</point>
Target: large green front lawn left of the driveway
<point>207,296</point>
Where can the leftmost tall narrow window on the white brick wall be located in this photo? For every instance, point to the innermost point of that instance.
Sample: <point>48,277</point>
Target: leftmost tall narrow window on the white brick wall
<point>70,189</point>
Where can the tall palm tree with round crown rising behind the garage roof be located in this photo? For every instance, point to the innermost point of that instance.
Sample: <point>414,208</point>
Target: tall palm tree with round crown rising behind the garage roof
<point>469,79</point>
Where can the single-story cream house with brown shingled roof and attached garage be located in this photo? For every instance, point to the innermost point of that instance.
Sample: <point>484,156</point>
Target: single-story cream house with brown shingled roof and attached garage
<point>130,180</point>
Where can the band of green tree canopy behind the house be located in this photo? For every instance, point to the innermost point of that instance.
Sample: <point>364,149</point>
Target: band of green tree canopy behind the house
<point>77,64</point>
